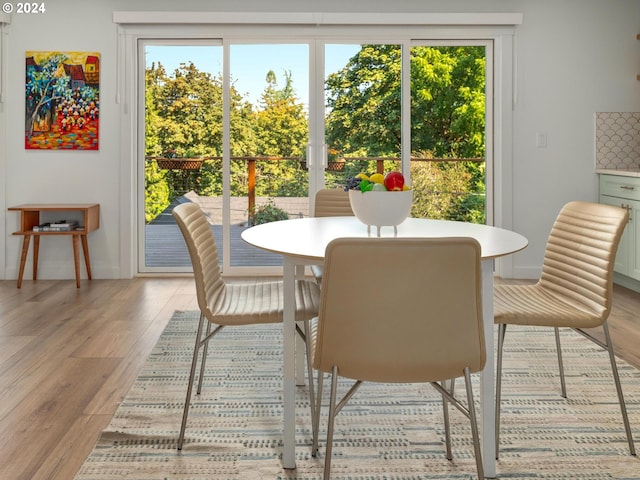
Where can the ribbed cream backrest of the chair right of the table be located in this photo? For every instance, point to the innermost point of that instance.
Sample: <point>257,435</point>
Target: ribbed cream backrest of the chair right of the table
<point>580,254</point>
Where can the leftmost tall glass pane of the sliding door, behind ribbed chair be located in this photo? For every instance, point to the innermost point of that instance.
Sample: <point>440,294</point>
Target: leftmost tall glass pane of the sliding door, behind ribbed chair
<point>183,144</point>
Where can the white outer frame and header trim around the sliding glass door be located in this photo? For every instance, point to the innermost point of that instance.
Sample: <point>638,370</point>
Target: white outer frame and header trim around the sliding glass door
<point>499,28</point>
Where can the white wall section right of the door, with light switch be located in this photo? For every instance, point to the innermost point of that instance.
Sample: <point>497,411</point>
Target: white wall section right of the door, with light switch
<point>574,58</point>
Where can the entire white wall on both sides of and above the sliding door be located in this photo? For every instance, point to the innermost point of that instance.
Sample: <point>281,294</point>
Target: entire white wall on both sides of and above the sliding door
<point>573,57</point>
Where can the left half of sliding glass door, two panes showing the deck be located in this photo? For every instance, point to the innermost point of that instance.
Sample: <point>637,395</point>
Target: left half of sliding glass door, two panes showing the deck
<point>226,127</point>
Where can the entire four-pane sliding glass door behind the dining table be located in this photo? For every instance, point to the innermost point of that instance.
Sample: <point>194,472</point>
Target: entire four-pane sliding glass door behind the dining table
<point>250,130</point>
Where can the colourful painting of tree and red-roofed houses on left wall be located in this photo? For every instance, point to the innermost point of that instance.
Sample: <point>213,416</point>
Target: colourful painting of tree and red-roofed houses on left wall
<point>62,101</point>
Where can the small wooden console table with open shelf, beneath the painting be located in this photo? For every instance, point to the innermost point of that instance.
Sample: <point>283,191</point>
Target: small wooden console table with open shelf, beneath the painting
<point>30,217</point>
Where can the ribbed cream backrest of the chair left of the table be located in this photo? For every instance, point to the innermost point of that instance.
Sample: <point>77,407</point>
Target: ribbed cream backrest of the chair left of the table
<point>203,253</point>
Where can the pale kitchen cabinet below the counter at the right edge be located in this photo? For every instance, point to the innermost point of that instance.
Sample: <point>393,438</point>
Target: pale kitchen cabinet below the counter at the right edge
<point>624,191</point>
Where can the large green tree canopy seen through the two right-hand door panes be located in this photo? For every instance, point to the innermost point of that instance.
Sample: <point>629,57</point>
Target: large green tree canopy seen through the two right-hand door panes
<point>447,101</point>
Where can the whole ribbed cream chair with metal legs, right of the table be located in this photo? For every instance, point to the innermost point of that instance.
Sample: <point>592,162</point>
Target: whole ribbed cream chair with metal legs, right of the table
<point>574,291</point>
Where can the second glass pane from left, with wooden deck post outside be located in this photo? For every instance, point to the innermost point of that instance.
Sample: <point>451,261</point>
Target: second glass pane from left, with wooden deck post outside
<point>269,134</point>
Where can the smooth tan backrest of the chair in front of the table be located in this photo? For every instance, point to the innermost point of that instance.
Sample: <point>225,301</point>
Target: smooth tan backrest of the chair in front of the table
<point>401,309</point>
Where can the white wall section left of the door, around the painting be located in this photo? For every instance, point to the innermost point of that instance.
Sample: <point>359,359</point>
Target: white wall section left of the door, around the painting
<point>57,176</point>
